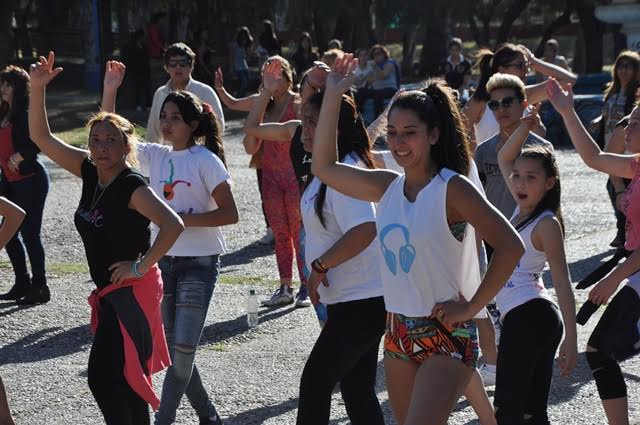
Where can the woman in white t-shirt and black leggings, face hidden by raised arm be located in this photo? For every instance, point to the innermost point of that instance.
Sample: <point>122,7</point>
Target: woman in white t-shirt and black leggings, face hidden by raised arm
<point>342,253</point>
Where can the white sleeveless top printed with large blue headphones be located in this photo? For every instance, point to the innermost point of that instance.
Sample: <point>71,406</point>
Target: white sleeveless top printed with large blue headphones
<point>422,262</point>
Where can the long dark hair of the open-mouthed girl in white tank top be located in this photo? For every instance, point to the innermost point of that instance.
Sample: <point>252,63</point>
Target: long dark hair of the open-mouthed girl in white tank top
<point>551,199</point>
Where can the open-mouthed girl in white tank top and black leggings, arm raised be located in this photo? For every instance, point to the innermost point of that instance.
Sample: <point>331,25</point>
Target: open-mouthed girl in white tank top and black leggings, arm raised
<point>531,323</point>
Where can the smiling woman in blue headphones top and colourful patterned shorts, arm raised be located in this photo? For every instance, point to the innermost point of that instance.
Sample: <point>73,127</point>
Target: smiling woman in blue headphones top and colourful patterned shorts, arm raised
<point>431,280</point>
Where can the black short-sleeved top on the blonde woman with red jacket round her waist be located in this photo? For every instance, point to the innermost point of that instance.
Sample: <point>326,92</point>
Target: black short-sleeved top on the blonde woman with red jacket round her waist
<point>109,229</point>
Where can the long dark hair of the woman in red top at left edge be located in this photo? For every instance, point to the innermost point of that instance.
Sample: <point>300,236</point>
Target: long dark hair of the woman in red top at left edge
<point>17,112</point>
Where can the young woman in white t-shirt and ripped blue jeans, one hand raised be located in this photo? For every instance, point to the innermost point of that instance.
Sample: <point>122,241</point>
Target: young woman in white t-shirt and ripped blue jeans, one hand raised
<point>190,175</point>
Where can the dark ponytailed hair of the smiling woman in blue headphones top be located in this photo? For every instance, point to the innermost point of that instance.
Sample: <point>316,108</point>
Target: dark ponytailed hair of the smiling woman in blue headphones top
<point>436,106</point>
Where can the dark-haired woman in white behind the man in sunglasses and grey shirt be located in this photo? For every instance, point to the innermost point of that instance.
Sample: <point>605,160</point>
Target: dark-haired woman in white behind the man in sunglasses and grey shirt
<point>508,59</point>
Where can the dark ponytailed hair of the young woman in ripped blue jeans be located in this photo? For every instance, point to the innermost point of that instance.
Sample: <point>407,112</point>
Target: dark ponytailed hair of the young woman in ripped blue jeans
<point>208,131</point>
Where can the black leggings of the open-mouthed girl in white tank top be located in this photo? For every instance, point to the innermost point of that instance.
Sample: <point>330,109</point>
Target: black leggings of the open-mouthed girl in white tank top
<point>530,337</point>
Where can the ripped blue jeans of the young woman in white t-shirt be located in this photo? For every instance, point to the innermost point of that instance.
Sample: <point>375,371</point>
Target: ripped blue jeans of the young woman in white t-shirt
<point>188,287</point>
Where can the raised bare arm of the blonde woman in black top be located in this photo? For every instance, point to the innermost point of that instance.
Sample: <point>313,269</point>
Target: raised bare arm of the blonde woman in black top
<point>66,156</point>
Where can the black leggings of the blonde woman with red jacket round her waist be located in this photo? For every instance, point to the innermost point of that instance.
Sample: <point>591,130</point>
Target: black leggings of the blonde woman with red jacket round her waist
<point>119,404</point>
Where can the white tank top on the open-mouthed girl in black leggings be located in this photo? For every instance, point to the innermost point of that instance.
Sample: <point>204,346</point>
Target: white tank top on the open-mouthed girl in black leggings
<point>525,284</point>
